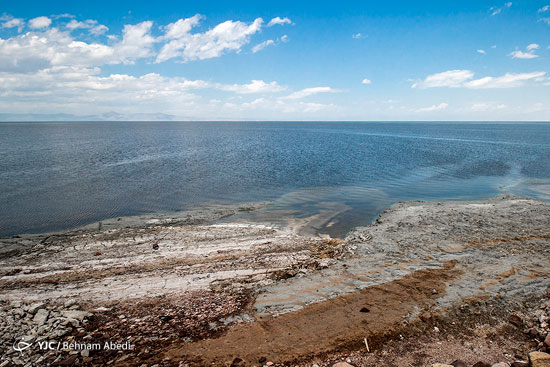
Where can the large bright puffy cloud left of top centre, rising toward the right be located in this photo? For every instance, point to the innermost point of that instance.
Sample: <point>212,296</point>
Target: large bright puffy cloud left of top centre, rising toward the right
<point>227,36</point>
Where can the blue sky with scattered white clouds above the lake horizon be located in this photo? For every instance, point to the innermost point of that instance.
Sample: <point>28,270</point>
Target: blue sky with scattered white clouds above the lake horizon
<point>284,60</point>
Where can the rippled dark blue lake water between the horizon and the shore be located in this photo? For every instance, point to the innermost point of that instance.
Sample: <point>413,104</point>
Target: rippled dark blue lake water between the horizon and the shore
<point>65,174</point>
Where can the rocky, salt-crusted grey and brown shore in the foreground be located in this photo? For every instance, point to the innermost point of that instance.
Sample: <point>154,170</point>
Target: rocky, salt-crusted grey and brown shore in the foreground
<point>425,282</point>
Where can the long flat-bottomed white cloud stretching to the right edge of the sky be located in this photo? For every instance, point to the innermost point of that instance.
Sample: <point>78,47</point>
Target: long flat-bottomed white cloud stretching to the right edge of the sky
<point>464,79</point>
